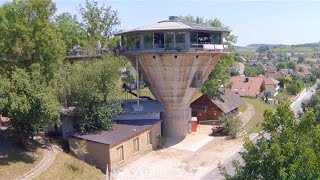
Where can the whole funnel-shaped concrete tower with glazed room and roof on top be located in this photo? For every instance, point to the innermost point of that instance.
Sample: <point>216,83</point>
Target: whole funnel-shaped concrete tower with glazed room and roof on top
<point>175,57</point>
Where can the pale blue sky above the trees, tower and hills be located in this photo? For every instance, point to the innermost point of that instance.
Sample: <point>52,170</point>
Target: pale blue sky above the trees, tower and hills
<point>273,21</point>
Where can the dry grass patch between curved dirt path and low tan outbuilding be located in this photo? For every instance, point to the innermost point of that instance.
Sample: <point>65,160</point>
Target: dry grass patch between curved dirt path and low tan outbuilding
<point>67,167</point>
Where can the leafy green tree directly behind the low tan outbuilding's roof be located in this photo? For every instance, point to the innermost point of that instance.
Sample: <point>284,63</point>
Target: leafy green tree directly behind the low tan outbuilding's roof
<point>96,91</point>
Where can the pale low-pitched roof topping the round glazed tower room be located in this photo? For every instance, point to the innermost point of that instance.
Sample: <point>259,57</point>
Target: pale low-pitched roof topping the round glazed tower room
<point>175,24</point>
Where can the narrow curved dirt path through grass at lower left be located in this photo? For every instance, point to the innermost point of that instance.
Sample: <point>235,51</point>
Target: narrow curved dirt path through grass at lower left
<point>49,156</point>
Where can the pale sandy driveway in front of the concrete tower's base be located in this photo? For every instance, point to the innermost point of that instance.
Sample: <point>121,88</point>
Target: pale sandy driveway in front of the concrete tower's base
<point>193,158</point>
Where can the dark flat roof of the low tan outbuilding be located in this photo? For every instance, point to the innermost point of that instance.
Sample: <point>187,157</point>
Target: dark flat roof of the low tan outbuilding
<point>120,133</point>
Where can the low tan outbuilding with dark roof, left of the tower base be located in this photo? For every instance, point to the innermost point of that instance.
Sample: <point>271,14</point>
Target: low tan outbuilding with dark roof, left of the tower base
<point>126,142</point>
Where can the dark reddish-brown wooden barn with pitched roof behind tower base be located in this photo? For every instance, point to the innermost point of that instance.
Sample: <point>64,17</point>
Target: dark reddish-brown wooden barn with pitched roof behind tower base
<point>208,109</point>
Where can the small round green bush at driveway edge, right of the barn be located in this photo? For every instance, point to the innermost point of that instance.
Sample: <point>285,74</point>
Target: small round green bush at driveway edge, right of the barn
<point>231,123</point>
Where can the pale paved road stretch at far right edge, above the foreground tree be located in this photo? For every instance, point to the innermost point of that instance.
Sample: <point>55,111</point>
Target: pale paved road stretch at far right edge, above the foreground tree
<point>304,95</point>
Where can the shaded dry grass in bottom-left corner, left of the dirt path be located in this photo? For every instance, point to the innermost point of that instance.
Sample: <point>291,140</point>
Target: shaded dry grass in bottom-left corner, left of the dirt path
<point>18,162</point>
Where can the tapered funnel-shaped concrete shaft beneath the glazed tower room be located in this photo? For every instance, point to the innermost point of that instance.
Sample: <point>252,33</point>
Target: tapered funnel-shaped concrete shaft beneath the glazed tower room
<point>172,77</point>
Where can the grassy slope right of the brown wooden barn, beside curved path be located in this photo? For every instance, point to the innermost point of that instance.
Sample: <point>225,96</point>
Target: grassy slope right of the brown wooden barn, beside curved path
<point>254,125</point>
